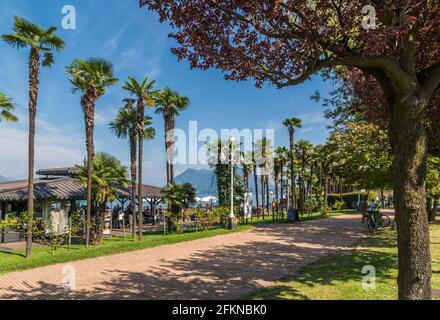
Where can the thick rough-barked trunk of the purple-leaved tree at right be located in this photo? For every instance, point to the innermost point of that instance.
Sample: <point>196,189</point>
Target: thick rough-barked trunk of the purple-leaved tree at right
<point>410,149</point>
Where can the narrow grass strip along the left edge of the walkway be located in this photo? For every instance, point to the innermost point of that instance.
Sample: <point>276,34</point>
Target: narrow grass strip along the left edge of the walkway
<point>15,261</point>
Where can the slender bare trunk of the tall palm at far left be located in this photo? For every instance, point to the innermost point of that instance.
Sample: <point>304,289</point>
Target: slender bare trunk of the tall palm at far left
<point>34,67</point>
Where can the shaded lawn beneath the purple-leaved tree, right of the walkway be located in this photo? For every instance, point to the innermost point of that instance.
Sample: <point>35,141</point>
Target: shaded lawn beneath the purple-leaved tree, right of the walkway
<point>340,277</point>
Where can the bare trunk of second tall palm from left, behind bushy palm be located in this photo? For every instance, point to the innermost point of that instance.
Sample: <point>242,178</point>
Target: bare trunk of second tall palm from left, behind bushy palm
<point>88,104</point>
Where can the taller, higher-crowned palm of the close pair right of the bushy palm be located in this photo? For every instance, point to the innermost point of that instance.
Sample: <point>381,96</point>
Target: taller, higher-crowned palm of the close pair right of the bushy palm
<point>145,97</point>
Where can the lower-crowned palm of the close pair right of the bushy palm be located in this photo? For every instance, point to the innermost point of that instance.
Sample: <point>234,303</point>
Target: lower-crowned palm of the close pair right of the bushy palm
<point>125,126</point>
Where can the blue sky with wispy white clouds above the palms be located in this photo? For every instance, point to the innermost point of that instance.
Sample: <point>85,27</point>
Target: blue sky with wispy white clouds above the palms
<point>137,44</point>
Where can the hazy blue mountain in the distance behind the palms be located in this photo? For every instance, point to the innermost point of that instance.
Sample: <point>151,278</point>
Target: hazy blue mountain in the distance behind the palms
<point>203,180</point>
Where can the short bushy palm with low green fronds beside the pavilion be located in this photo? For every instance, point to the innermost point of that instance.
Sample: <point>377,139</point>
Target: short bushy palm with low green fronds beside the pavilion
<point>108,175</point>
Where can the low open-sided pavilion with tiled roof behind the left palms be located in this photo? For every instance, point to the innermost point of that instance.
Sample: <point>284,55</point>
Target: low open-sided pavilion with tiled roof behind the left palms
<point>58,193</point>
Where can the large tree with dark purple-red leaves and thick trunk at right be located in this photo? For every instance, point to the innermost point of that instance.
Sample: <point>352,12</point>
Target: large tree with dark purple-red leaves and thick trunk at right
<point>284,42</point>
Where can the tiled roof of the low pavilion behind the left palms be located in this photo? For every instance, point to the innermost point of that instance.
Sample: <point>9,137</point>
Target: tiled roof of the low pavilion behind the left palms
<point>64,188</point>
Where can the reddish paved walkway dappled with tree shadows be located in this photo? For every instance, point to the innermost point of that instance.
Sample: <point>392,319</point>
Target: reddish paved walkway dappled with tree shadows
<point>221,267</point>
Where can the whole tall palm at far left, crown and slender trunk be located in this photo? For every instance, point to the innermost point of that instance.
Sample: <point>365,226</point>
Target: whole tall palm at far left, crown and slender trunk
<point>41,42</point>
